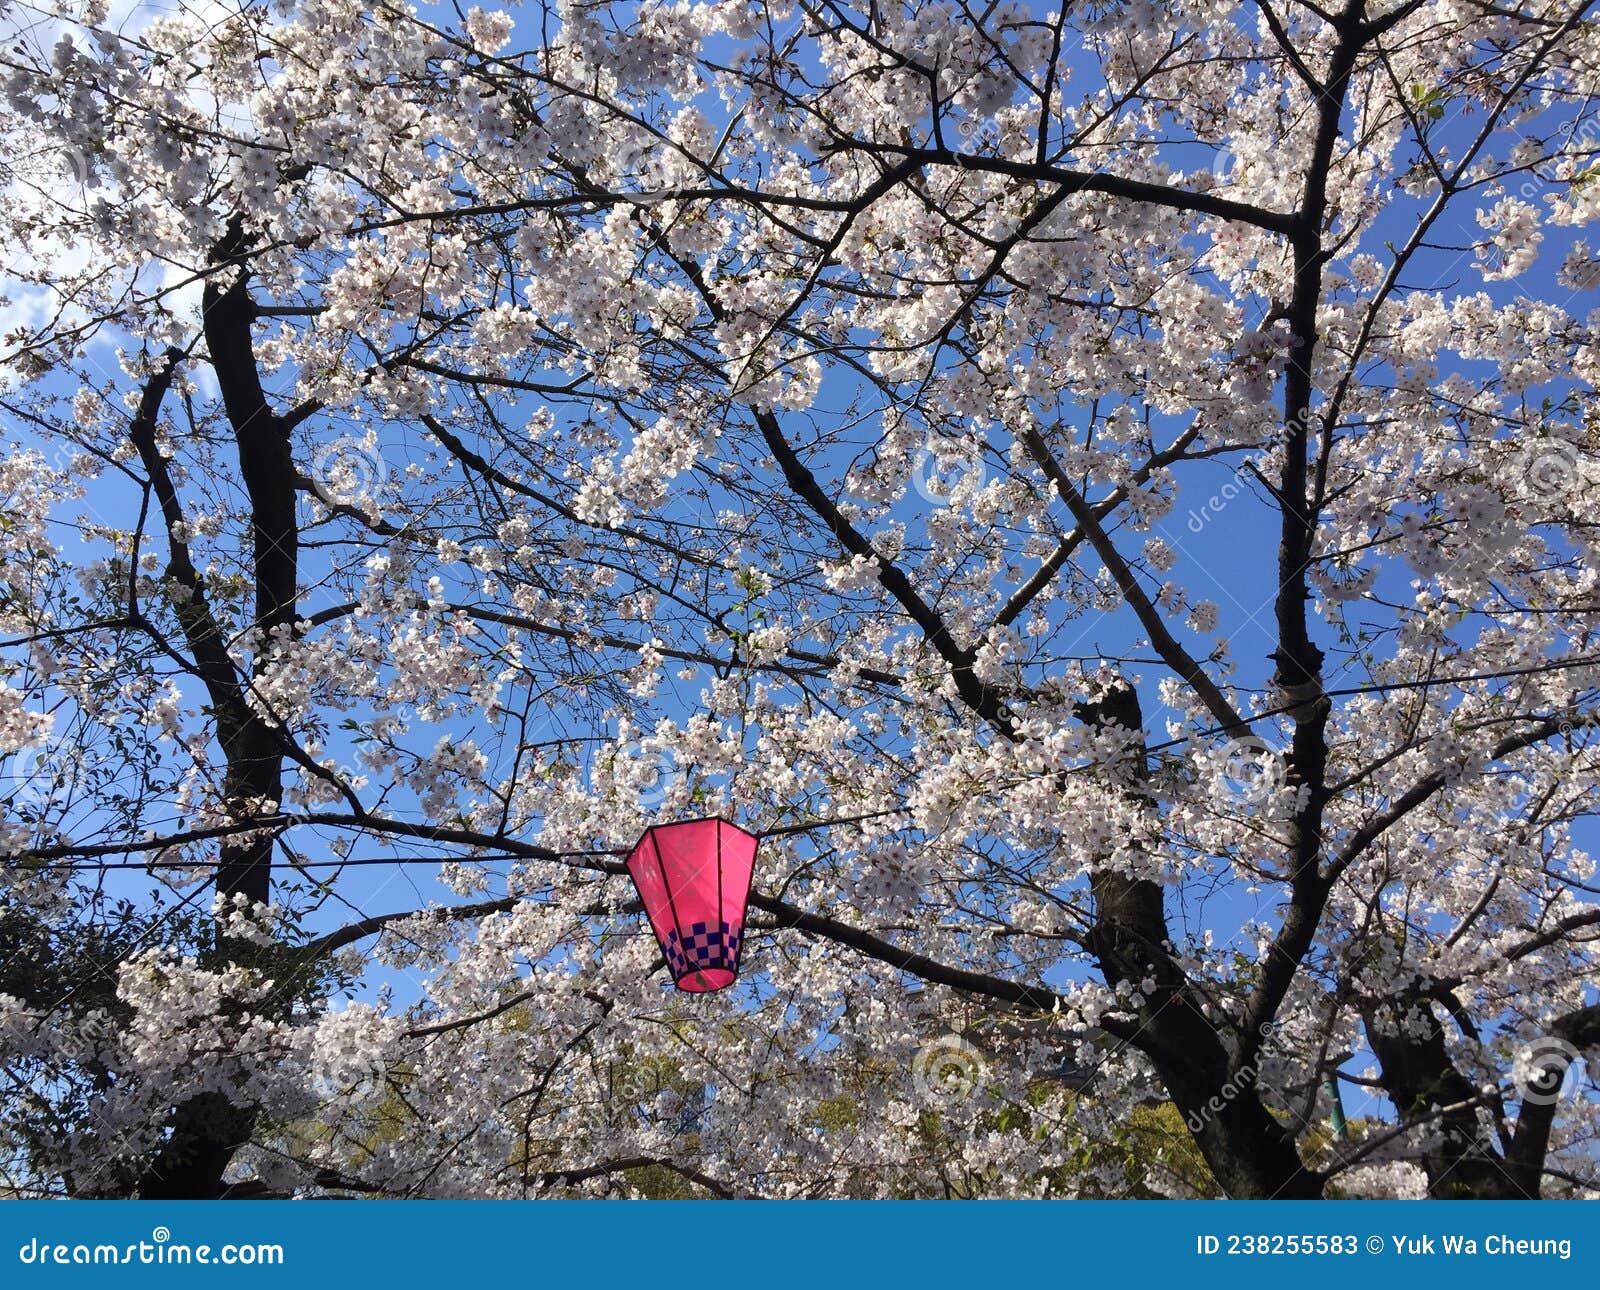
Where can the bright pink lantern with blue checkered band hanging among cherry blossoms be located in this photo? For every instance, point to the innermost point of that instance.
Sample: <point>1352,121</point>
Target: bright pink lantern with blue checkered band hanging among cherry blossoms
<point>695,879</point>
